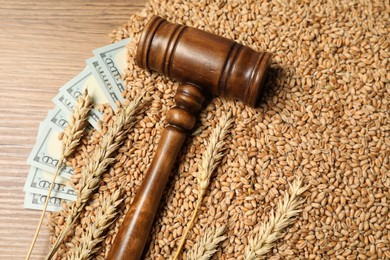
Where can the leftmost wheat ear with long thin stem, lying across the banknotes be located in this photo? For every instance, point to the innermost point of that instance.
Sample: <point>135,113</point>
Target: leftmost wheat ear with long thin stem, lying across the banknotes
<point>70,140</point>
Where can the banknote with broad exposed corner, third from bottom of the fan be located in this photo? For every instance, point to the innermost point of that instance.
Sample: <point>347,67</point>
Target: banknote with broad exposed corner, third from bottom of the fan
<point>47,151</point>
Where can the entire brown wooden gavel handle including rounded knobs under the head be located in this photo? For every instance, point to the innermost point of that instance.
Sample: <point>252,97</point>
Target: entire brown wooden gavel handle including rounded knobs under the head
<point>134,232</point>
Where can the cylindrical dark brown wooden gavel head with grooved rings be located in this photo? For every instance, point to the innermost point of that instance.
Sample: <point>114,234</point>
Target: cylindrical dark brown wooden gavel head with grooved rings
<point>217,65</point>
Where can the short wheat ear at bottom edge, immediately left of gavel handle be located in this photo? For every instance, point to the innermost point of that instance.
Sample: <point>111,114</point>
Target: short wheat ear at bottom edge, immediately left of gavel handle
<point>104,217</point>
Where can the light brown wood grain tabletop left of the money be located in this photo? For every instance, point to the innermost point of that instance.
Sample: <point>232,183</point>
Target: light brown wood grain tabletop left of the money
<point>43,45</point>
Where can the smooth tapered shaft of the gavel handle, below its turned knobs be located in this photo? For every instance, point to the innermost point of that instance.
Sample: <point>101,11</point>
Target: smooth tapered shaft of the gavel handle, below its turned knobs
<point>134,232</point>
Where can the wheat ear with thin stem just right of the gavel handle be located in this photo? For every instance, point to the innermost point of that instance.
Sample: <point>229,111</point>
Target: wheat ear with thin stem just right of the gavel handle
<point>210,161</point>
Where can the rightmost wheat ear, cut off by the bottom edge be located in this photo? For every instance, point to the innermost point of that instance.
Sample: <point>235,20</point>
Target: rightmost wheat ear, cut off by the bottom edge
<point>270,231</point>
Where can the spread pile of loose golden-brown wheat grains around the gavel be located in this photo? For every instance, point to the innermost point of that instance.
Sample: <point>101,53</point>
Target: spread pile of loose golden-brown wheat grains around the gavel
<point>325,118</point>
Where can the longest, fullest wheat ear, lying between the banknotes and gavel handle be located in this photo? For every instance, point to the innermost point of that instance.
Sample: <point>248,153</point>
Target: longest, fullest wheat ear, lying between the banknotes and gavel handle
<point>101,158</point>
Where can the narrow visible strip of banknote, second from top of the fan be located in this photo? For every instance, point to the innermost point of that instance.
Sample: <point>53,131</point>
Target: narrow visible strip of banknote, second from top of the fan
<point>112,92</point>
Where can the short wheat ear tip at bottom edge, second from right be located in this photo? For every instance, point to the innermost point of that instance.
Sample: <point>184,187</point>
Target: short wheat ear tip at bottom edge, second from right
<point>206,246</point>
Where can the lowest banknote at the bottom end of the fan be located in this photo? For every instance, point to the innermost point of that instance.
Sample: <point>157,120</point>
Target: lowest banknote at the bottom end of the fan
<point>37,201</point>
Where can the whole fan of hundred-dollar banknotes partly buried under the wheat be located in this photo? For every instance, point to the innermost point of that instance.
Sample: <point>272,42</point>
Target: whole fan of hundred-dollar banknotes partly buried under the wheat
<point>103,79</point>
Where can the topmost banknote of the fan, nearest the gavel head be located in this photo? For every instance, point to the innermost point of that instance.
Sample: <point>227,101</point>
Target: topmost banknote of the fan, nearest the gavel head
<point>114,61</point>
